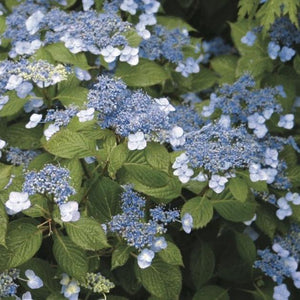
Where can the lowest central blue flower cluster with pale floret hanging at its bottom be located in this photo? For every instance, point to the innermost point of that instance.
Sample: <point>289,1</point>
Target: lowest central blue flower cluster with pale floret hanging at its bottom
<point>131,224</point>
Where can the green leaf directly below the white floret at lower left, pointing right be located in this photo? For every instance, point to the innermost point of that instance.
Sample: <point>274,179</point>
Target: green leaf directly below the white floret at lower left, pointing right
<point>87,233</point>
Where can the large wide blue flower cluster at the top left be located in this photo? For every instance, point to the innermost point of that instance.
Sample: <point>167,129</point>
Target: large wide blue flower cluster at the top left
<point>93,32</point>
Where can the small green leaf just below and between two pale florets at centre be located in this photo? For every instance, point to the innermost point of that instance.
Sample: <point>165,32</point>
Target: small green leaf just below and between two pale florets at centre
<point>157,156</point>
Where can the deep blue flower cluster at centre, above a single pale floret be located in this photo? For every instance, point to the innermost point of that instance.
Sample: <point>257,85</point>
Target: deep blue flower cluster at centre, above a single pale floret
<point>128,111</point>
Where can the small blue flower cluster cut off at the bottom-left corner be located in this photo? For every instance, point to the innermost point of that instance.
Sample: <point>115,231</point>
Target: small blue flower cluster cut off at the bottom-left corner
<point>8,287</point>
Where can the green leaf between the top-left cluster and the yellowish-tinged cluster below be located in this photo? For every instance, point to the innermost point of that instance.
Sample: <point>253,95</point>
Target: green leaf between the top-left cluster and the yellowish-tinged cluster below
<point>61,54</point>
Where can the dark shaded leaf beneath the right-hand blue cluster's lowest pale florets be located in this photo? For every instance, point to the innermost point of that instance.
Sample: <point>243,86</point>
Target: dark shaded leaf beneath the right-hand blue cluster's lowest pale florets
<point>235,211</point>
